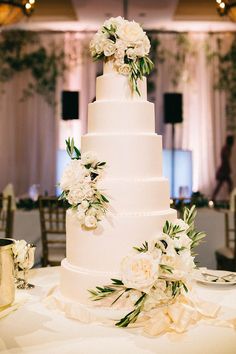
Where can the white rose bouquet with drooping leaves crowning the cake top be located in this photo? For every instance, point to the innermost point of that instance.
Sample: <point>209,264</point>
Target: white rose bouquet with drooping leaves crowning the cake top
<point>127,45</point>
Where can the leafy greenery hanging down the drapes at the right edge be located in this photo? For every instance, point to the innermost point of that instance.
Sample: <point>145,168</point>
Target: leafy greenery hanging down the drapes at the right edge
<point>225,79</point>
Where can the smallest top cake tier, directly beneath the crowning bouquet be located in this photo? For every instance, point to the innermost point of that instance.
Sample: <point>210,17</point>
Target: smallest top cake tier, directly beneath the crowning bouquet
<point>112,86</point>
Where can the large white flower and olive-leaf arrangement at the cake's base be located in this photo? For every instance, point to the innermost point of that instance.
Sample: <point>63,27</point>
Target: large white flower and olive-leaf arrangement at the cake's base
<point>156,274</point>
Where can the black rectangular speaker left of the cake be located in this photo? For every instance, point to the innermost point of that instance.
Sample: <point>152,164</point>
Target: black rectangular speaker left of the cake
<point>70,105</point>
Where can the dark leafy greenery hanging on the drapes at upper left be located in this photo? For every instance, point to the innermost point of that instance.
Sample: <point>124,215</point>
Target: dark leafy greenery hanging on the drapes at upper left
<point>23,51</point>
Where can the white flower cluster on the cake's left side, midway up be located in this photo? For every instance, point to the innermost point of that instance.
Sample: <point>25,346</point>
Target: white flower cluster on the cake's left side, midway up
<point>79,186</point>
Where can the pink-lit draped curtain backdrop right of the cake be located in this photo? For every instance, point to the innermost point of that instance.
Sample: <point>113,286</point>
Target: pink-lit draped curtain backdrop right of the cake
<point>203,130</point>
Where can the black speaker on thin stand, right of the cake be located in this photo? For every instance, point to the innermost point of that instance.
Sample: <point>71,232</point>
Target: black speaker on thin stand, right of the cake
<point>173,113</point>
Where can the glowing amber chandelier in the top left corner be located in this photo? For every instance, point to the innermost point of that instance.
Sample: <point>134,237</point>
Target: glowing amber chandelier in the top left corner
<point>12,11</point>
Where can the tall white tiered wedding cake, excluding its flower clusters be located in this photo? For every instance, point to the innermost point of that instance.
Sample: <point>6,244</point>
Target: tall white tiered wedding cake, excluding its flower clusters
<point>121,130</point>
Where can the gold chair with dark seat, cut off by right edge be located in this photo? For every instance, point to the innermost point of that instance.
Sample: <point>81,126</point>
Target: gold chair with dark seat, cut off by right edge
<point>226,256</point>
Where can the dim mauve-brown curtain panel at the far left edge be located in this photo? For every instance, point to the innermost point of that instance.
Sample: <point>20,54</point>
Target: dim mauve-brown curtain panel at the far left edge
<point>27,139</point>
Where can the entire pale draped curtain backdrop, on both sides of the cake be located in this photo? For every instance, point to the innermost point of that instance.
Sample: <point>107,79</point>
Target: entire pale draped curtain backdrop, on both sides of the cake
<point>32,131</point>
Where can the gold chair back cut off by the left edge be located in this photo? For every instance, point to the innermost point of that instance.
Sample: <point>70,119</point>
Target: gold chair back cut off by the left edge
<point>6,216</point>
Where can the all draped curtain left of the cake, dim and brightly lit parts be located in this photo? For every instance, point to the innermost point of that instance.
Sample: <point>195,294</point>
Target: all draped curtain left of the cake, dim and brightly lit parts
<point>32,131</point>
